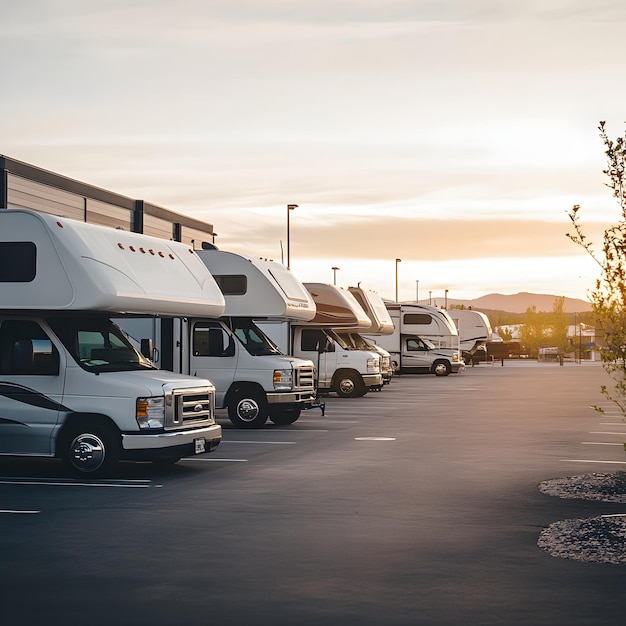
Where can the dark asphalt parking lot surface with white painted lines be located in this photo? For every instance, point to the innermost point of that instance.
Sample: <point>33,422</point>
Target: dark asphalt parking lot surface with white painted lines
<point>415,505</point>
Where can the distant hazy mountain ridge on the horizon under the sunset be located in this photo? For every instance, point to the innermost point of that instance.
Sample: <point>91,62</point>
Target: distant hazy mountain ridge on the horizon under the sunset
<point>516,303</point>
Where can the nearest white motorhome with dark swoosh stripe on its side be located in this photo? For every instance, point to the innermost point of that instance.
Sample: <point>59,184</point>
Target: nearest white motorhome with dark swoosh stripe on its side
<point>71,385</point>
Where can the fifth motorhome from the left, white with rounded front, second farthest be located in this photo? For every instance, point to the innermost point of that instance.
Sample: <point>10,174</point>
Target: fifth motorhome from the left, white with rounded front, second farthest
<point>425,340</point>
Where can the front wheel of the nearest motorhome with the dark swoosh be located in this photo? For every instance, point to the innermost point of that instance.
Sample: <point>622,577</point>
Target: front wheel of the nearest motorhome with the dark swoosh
<point>91,449</point>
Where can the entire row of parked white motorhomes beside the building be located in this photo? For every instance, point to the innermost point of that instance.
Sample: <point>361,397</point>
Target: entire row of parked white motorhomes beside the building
<point>116,345</point>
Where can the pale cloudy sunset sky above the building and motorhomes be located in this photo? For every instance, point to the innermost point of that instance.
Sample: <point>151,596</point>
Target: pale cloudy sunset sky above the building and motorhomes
<point>452,134</point>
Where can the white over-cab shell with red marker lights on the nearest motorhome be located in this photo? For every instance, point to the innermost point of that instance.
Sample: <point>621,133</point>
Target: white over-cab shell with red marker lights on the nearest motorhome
<point>85,267</point>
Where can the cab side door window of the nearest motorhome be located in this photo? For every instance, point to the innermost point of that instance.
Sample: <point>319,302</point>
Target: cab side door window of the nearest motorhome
<point>26,350</point>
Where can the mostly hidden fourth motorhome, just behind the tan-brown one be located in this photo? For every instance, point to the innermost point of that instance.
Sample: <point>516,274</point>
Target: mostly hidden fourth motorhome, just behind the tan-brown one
<point>381,324</point>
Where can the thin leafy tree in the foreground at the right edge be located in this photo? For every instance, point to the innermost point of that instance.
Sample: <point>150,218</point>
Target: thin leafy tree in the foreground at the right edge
<point>608,299</point>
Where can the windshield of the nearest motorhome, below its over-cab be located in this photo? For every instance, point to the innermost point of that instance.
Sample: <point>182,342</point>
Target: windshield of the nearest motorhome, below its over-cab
<point>98,345</point>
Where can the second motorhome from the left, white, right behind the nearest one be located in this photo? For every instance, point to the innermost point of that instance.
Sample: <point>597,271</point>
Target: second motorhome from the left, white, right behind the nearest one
<point>253,379</point>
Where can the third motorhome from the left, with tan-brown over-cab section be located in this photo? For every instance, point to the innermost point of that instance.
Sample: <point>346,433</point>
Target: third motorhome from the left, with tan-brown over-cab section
<point>347,371</point>
